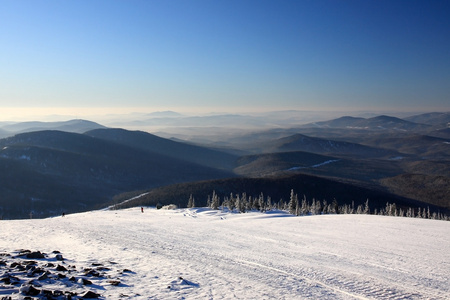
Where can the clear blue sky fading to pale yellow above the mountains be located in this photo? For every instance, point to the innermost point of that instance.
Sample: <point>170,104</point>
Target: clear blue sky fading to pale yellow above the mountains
<point>81,57</point>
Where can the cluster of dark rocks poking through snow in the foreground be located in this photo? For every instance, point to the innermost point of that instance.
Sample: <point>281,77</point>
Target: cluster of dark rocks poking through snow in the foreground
<point>29,275</point>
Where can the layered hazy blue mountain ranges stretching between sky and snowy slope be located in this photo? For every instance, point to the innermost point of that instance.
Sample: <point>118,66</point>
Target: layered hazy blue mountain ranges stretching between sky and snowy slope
<point>78,165</point>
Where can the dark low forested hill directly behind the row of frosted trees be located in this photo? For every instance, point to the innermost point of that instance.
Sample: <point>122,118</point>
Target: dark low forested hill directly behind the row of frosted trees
<point>277,188</point>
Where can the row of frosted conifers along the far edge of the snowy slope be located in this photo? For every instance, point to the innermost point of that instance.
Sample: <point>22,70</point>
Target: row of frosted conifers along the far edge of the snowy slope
<point>243,203</point>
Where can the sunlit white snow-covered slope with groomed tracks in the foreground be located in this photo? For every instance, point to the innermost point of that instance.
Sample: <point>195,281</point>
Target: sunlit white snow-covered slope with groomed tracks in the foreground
<point>204,254</point>
